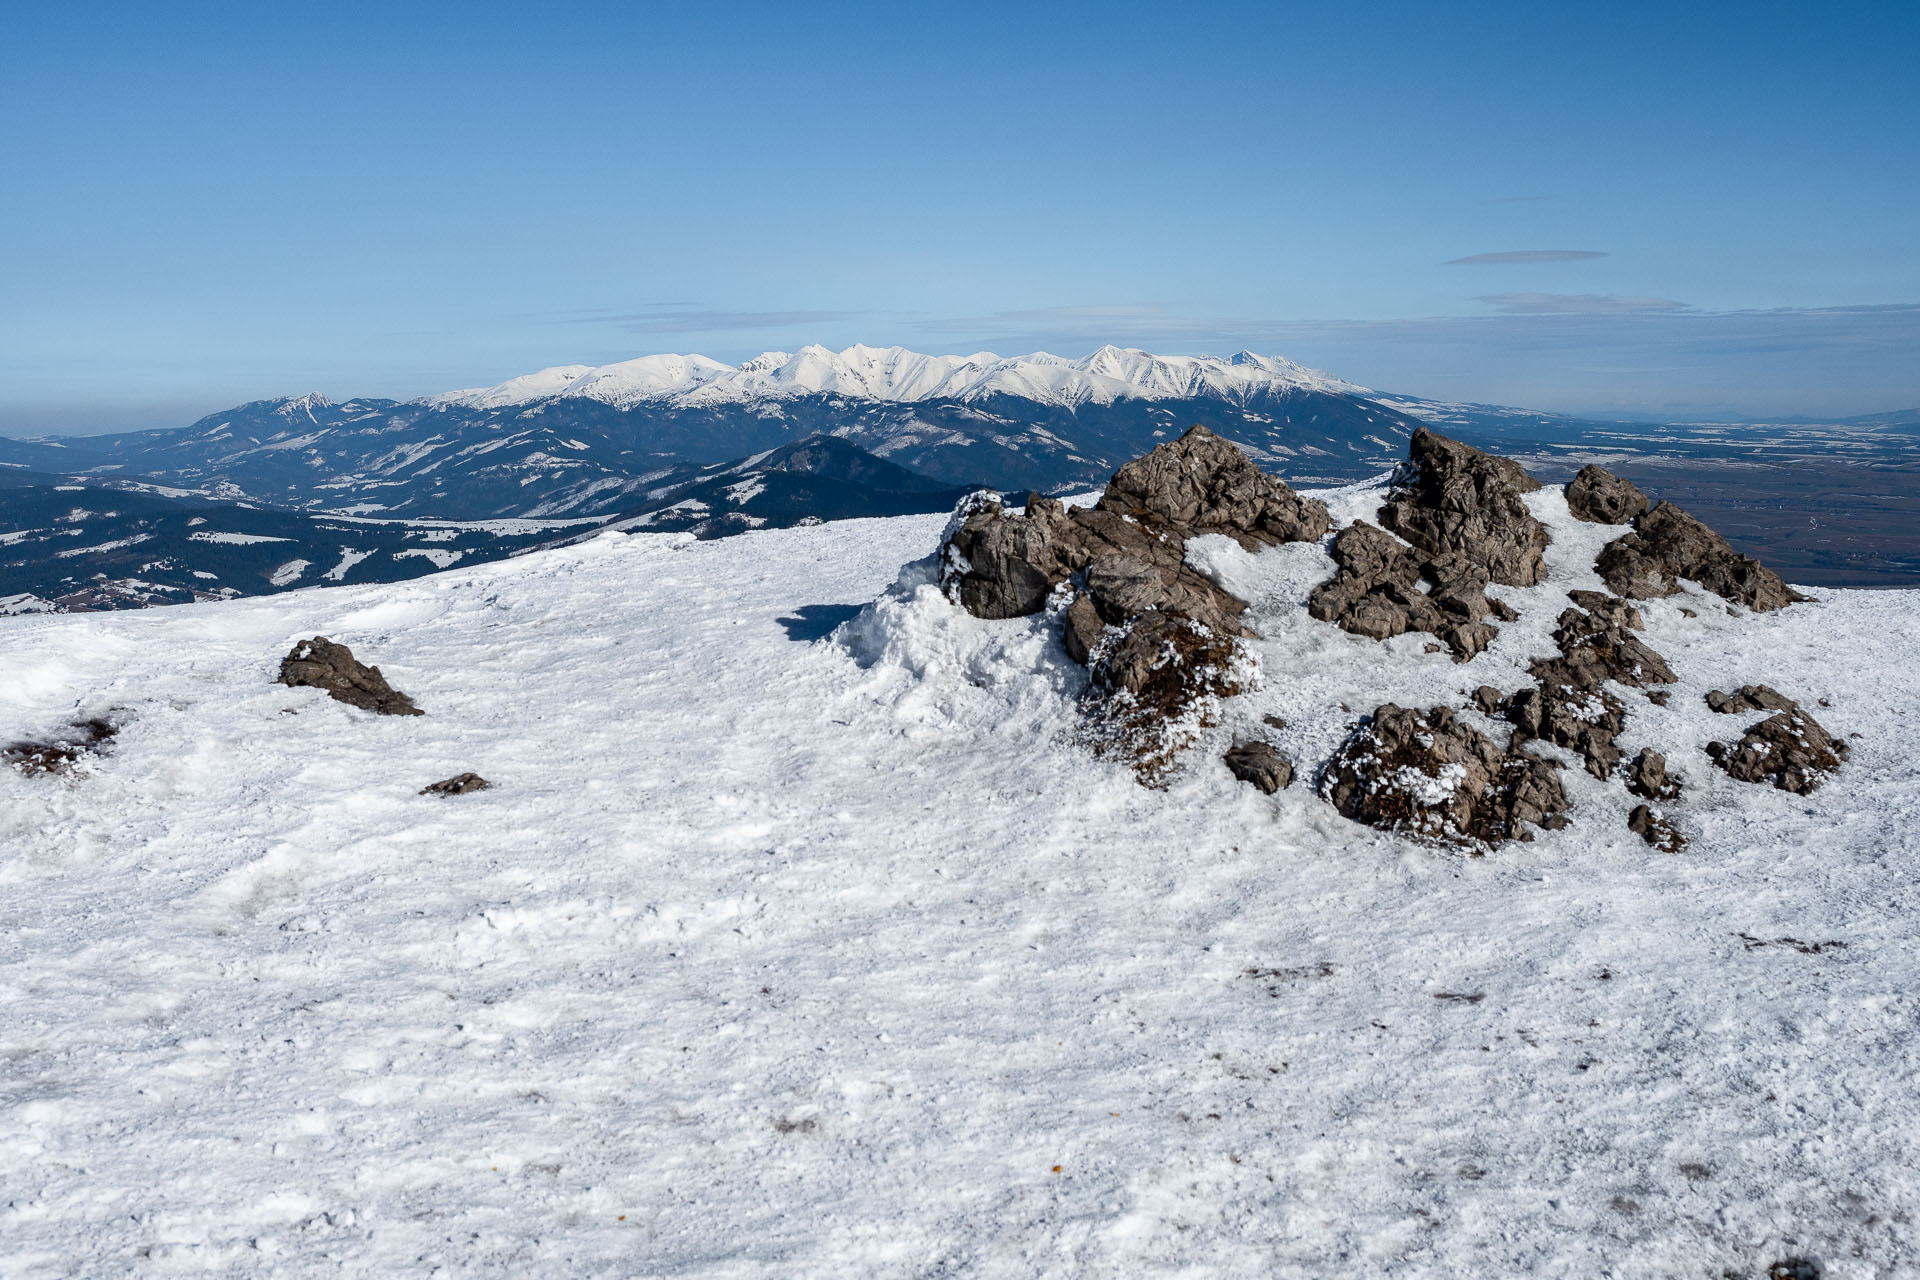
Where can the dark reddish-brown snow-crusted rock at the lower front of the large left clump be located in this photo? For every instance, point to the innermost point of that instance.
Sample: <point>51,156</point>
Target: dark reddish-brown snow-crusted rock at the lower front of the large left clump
<point>1157,684</point>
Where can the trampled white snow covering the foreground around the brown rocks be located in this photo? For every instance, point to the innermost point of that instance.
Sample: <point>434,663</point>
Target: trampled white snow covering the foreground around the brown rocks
<point>784,955</point>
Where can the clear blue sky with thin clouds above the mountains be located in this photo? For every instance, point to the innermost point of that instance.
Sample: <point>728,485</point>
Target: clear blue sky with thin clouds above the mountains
<point>1635,210</point>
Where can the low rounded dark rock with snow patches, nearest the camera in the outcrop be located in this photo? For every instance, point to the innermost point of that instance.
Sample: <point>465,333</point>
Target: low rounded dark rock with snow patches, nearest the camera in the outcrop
<point>1433,776</point>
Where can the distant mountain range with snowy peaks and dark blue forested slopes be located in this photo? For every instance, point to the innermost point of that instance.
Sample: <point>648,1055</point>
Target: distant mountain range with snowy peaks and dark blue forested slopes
<point>579,440</point>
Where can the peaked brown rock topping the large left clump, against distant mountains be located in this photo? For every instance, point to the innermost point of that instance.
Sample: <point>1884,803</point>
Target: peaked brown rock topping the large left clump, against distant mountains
<point>1203,485</point>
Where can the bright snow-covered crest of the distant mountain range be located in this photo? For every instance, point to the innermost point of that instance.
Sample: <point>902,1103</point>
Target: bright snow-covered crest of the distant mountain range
<point>901,375</point>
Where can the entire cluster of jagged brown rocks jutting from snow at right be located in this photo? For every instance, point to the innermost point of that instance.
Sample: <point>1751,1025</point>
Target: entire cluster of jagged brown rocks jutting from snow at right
<point>1164,642</point>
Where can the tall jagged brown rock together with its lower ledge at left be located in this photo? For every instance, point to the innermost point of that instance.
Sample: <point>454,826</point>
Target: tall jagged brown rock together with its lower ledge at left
<point>1464,527</point>
